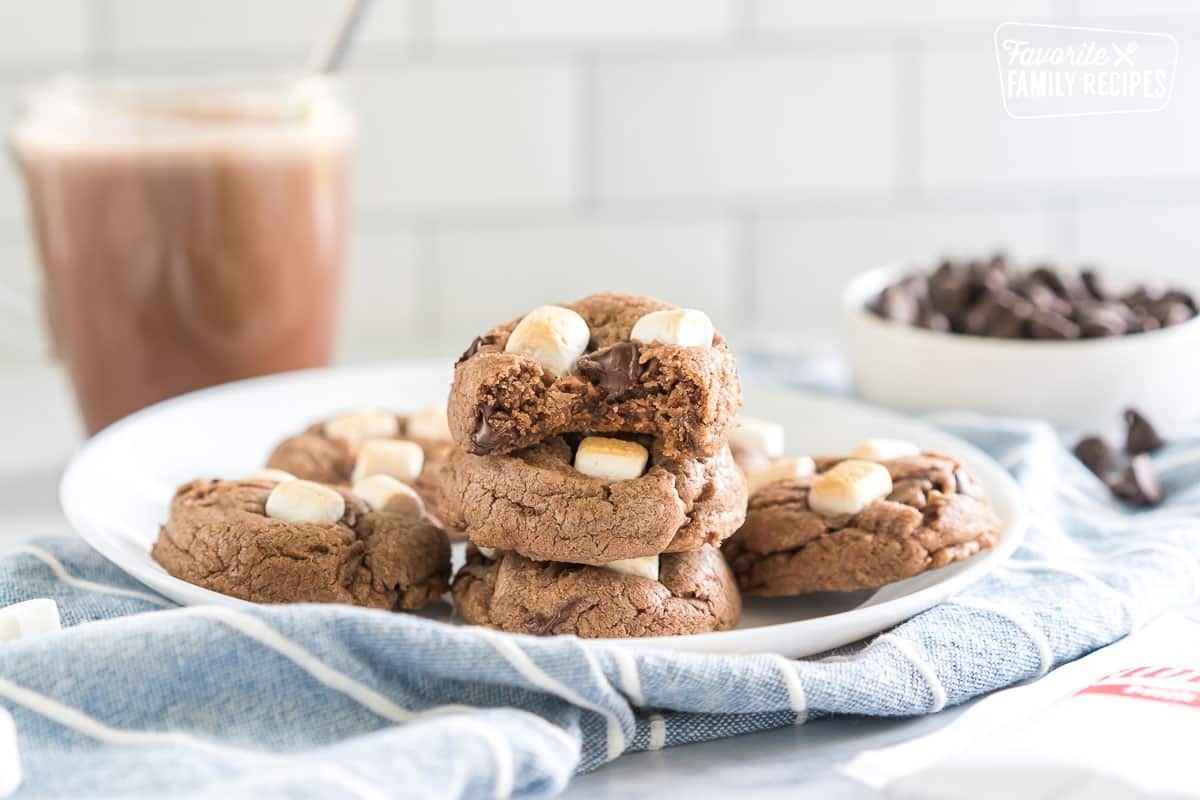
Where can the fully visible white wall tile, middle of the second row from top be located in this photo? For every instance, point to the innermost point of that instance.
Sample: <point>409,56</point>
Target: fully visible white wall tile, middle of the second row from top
<point>745,127</point>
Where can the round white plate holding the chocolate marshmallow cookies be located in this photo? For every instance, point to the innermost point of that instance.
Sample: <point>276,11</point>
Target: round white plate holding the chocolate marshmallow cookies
<point>117,490</point>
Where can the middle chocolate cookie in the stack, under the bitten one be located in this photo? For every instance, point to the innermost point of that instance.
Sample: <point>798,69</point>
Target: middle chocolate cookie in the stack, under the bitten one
<point>538,504</point>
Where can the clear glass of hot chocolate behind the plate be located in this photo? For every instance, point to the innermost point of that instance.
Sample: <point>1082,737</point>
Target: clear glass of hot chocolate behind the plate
<point>189,234</point>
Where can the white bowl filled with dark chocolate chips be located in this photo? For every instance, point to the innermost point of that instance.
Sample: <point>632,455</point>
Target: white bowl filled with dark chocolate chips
<point>1067,346</point>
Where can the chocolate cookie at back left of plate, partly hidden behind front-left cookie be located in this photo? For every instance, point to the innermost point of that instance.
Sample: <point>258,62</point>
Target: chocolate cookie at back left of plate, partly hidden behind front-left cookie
<point>314,455</point>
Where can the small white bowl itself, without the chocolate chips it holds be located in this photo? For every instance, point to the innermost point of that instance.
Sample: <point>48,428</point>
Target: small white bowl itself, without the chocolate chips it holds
<point>1077,384</point>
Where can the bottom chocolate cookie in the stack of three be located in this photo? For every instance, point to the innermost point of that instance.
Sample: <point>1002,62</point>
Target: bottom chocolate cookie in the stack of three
<point>695,594</point>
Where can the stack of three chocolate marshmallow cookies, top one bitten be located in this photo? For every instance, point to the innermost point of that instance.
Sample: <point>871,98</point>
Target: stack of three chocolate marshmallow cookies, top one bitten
<point>592,472</point>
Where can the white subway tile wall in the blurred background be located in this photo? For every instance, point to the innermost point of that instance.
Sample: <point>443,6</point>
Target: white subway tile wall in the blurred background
<point>745,157</point>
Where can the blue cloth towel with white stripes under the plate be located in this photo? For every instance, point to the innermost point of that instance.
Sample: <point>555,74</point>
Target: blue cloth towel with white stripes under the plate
<point>139,699</point>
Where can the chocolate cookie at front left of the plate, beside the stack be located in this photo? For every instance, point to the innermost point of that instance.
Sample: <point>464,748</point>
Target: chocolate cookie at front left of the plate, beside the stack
<point>219,537</point>
